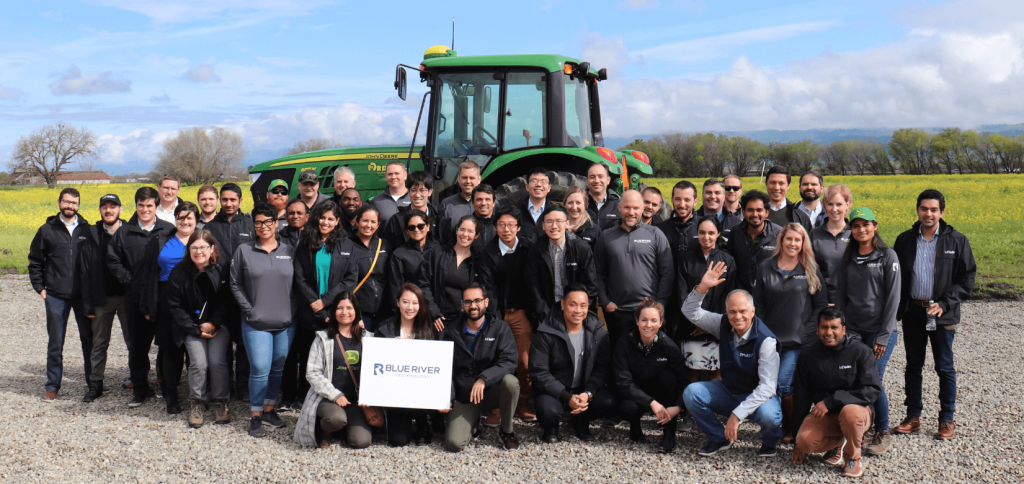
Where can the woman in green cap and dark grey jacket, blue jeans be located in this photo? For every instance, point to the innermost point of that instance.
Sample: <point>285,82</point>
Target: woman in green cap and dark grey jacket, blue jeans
<point>869,293</point>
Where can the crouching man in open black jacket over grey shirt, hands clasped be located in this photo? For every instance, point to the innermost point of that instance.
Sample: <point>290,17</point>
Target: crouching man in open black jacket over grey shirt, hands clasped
<point>570,365</point>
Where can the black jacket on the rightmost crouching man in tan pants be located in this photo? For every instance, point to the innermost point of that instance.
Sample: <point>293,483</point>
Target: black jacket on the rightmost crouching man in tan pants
<point>842,376</point>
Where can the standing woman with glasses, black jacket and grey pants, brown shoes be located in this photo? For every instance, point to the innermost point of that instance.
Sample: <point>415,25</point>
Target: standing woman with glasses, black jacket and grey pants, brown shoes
<point>197,291</point>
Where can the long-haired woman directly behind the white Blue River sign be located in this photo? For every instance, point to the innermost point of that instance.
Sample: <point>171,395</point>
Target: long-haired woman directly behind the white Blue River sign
<point>413,323</point>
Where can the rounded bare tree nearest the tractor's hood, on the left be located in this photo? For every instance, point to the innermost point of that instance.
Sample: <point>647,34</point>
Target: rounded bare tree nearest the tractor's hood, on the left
<point>199,157</point>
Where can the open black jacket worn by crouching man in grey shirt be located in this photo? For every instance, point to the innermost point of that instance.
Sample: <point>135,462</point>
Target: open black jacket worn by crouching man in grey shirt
<point>551,358</point>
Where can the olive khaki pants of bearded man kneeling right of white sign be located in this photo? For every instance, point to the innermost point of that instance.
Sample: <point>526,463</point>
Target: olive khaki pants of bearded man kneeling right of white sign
<point>464,417</point>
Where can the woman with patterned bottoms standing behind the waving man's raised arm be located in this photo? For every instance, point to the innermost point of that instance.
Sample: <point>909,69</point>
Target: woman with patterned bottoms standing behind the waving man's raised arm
<point>700,348</point>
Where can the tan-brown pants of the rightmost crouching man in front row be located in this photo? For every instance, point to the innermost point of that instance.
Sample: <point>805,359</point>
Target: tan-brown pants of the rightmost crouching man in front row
<point>821,435</point>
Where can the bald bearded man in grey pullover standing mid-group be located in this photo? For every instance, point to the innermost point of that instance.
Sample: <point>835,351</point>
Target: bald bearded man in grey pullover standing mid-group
<point>636,253</point>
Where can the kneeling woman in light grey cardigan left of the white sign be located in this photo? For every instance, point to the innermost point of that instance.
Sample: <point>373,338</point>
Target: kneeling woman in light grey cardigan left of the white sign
<point>332,404</point>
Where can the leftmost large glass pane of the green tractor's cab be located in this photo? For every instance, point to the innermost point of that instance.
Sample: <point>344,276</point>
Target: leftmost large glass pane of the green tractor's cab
<point>465,122</point>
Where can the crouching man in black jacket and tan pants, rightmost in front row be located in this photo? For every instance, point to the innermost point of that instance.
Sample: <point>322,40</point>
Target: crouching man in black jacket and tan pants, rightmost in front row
<point>836,384</point>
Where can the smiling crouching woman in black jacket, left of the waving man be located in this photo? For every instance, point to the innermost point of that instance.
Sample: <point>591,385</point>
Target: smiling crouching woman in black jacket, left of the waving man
<point>651,375</point>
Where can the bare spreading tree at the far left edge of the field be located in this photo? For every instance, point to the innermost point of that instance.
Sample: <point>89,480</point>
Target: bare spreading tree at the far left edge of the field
<point>47,151</point>
